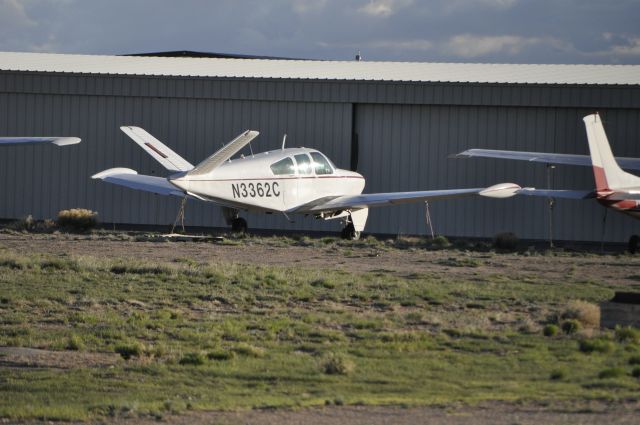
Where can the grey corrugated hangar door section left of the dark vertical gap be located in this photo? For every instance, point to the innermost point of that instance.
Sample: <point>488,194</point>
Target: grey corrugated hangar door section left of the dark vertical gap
<point>41,180</point>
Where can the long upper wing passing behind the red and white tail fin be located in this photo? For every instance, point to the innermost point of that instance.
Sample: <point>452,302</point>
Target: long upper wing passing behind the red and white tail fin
<point>547,158</point>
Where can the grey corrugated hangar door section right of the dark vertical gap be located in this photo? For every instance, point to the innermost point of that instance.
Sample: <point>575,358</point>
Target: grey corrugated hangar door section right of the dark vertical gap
<point>406,148</point>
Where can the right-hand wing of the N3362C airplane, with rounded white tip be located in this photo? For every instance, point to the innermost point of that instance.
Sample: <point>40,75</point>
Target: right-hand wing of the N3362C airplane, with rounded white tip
<point>355,202</point>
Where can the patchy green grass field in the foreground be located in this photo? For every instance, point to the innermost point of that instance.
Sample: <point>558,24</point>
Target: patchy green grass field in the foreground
<point>188,334</point>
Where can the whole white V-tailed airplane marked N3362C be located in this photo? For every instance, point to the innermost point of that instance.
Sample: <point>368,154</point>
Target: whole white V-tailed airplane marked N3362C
<point>288,181</point>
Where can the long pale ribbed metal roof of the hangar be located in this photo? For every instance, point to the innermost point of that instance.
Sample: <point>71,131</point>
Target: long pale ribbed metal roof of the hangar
<point>322,70</point>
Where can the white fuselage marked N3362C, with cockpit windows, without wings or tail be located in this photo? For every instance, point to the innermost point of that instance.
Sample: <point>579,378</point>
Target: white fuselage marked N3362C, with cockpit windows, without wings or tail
<point>275,181</point>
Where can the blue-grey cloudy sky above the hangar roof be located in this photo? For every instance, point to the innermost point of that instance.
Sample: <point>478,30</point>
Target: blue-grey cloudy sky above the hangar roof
<point>504,31</point>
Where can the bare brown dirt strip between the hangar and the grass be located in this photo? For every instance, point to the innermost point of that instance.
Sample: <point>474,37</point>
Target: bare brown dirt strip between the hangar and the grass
<point>616,269</point>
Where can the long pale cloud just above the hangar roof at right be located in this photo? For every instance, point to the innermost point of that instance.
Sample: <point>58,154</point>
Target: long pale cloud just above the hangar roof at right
<point>473,46</point>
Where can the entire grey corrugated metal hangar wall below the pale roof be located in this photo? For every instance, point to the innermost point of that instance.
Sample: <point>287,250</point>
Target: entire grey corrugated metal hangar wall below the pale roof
<point>406,131</point>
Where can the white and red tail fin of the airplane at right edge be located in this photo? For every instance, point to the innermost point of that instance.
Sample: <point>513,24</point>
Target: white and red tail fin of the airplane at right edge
<point>606,170</point>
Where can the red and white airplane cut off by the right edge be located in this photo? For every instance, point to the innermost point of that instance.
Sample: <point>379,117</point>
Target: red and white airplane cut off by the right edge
<point>615,188</point>
